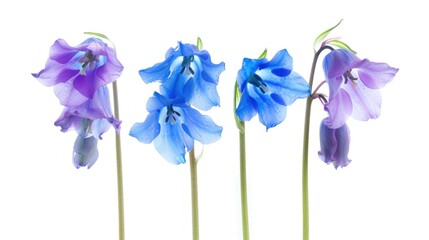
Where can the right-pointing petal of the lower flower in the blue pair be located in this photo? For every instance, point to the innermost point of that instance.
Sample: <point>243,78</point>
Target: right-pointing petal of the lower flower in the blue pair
<point>200,127</point>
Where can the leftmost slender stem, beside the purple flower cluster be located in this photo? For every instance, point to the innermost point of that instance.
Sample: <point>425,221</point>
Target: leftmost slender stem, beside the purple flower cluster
<point>119,167</point>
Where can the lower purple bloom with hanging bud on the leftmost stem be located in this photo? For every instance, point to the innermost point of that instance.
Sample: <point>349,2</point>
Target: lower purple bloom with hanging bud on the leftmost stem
<point>90,120</point>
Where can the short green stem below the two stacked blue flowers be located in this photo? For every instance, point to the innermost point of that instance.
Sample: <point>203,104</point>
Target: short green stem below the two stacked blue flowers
<point>194,192</point>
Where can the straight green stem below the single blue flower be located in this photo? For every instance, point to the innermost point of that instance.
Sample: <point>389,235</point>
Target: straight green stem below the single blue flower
<point>243,184</point>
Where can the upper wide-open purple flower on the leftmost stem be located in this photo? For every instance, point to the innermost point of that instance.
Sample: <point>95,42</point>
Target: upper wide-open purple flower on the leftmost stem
<point>78,72</point>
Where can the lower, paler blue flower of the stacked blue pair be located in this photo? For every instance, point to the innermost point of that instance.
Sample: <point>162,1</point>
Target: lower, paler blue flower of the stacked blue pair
<point>173,125</point>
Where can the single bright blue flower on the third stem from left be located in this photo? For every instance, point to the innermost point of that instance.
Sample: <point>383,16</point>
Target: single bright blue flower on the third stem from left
<point>268,87</point>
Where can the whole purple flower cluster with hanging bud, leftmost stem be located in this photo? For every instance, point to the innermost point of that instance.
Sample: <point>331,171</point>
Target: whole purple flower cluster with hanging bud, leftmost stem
<point>79,76</point>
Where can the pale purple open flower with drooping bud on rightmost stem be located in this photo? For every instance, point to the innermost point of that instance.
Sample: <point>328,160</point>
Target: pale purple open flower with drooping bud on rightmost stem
<point>354,85</point>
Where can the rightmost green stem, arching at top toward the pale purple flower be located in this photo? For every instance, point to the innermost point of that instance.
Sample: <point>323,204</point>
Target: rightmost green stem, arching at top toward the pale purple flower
<point>305,204</point>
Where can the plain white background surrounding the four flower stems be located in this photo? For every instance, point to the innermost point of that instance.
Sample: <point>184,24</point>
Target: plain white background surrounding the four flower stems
<point>382,194</point>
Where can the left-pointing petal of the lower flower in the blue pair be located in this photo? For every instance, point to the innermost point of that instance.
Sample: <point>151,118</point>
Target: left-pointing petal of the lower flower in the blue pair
<point>147,131</point>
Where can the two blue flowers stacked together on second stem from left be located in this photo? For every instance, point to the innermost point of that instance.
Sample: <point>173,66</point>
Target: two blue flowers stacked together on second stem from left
<point>188,82</point>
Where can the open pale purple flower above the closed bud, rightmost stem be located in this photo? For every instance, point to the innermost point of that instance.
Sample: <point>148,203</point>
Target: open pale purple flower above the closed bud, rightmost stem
<point>354,86</point>
